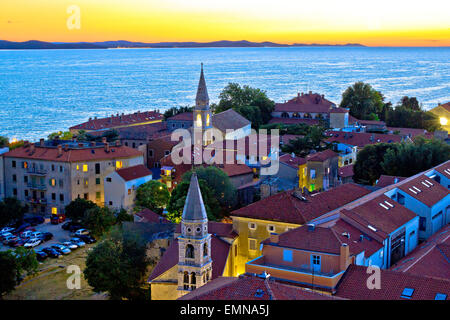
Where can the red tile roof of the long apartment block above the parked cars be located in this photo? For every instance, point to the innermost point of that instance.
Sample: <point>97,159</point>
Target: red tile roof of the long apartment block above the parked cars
<point>74,154</point>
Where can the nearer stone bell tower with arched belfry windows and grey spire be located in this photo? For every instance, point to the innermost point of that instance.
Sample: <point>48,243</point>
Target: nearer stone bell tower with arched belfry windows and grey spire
<point>194,243</point>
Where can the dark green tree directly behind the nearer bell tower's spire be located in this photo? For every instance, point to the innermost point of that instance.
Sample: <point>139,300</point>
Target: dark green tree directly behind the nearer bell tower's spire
<point>219,184</point>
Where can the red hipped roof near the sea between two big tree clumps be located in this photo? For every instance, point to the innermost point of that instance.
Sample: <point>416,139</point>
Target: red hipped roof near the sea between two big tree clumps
<point>310,103</point>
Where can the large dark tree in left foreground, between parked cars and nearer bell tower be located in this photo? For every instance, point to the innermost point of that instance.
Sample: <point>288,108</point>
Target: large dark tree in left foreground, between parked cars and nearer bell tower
<point>117,265</point>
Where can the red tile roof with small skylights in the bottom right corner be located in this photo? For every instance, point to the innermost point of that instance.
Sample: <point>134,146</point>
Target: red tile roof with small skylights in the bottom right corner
<point>353,285</point>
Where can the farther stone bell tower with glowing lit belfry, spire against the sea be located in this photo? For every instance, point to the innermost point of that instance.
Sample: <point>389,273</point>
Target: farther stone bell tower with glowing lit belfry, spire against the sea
<point>202,113</point>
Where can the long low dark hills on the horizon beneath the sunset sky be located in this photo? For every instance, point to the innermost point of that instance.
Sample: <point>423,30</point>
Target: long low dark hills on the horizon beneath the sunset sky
<point>34,44</point>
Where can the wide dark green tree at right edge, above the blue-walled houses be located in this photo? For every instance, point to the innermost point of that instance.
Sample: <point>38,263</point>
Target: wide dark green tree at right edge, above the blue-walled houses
<point>411,158</point>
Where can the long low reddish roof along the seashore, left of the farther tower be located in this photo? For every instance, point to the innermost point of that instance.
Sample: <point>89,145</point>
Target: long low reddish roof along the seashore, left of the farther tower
<point>119,120</point>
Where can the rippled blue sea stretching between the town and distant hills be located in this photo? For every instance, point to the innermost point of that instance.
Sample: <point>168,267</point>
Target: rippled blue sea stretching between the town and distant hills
<point>42,91</point>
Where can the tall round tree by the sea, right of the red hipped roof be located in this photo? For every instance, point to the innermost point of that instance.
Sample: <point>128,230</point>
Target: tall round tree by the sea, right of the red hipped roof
<point>363,101</point>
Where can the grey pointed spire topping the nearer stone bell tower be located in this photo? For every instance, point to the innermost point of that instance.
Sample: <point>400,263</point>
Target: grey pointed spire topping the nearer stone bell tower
<point>194,209</point>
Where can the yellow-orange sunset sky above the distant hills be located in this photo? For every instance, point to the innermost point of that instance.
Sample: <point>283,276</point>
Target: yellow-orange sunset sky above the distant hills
<point>372,23</point>
